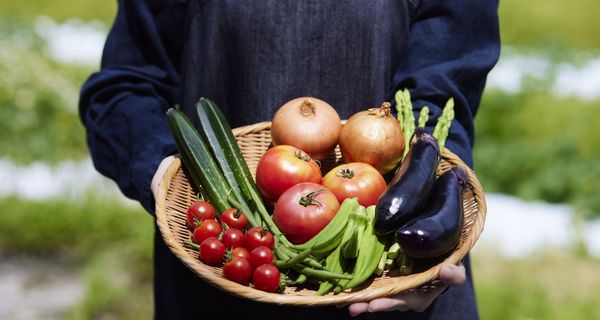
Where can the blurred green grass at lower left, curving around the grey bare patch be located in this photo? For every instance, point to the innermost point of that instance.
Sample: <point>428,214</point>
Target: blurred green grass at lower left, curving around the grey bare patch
<point>109,243</point>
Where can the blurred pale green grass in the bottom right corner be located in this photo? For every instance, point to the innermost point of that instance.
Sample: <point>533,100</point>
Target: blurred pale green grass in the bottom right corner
<point>548,286</point>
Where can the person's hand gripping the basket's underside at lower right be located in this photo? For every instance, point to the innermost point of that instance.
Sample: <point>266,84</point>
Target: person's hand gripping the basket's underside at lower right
<point>450,275</point>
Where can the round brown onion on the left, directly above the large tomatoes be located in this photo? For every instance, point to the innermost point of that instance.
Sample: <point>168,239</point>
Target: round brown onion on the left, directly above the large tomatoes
<point>308,124</point>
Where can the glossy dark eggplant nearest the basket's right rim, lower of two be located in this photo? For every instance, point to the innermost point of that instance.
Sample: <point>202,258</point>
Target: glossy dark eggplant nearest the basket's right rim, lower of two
<point>437,231</point>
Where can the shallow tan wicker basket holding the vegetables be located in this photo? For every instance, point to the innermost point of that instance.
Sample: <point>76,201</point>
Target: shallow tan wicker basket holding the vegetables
<point>175,194</point>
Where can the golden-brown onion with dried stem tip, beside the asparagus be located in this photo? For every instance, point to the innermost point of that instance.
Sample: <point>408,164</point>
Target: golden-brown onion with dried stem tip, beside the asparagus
<point>373,136</point>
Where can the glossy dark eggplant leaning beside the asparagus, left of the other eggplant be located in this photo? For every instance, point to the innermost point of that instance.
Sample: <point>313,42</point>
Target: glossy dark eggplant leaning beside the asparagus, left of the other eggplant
<point>407,192</point>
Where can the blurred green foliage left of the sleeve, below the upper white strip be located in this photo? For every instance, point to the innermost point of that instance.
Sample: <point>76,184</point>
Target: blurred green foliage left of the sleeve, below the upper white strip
<point>38,106</point>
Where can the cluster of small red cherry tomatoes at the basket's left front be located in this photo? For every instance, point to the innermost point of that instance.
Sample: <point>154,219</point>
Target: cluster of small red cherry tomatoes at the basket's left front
<point>246,256</point>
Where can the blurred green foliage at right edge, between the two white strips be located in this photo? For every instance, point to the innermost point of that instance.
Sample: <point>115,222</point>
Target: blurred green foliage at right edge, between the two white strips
<point>538,146</point>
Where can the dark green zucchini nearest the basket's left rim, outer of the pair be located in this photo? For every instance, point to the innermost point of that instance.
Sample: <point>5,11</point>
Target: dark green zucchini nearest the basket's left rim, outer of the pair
<point>198,161</point>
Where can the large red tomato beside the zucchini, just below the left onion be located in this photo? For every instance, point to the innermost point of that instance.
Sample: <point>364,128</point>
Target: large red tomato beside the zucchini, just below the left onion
<point>282,167</point>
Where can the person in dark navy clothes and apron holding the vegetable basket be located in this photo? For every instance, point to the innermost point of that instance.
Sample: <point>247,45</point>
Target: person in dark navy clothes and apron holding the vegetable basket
<point>252,56</point>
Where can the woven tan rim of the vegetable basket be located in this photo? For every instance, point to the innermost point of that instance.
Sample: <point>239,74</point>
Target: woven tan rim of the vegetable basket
<point>396,284</point>
